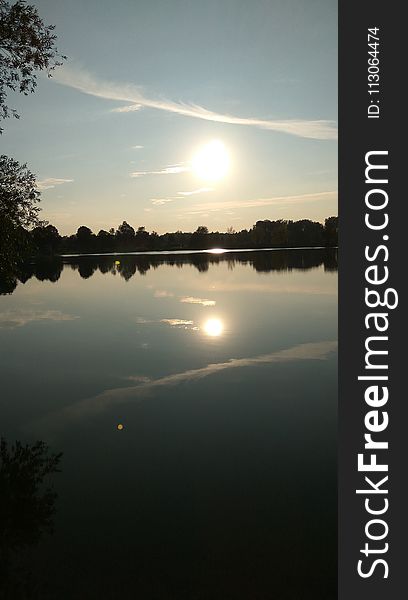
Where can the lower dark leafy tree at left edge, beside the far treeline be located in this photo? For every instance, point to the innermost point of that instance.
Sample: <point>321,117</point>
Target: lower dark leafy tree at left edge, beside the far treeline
<point>19,198</point>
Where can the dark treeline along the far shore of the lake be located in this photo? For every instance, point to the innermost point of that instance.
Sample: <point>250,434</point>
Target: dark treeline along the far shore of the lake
<point>46,240</point>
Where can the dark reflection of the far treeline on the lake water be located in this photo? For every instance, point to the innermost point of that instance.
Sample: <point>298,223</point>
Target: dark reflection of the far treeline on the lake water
<point>50,269</point>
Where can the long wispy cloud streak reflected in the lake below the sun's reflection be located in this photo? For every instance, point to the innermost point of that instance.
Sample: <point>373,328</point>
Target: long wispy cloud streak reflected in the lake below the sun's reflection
<point>102,401</point>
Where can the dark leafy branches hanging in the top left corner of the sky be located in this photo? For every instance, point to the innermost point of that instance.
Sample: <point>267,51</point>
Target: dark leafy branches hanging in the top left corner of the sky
<point>27,46</point>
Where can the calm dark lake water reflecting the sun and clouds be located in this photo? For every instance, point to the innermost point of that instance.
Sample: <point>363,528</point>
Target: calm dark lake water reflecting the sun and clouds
<point>194,399</point>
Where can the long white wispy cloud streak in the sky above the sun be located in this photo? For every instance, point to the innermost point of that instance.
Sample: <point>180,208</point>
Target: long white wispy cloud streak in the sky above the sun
<point>88,84</point>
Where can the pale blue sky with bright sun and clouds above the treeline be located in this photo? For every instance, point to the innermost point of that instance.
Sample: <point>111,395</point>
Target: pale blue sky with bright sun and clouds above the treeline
<point>125,130</point>
